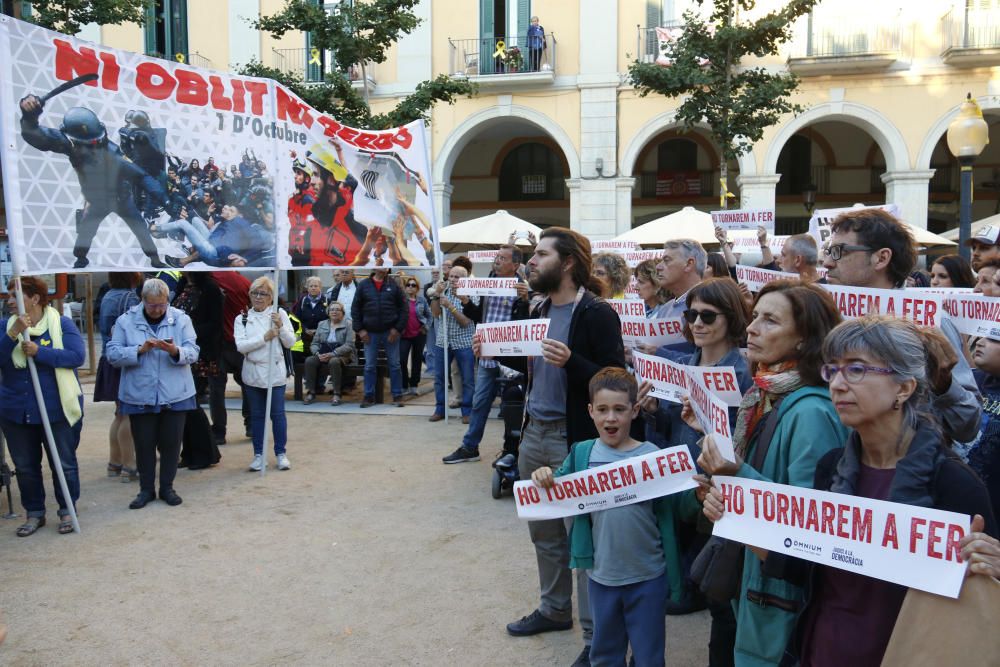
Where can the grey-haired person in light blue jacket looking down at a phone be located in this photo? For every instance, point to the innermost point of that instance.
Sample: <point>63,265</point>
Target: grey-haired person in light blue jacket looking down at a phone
<point>155,345</point>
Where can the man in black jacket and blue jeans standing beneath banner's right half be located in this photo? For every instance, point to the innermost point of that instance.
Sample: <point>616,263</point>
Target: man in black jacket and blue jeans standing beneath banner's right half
<point>378,315</point>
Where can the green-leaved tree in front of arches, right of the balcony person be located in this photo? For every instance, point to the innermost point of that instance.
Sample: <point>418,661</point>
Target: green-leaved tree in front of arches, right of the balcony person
<point>704,65</point>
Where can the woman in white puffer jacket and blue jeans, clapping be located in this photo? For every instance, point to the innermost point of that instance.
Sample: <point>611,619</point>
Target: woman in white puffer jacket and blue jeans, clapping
<point>261,336</point>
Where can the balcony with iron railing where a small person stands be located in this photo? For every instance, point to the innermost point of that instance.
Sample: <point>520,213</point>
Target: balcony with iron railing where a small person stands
<point>499,61</point>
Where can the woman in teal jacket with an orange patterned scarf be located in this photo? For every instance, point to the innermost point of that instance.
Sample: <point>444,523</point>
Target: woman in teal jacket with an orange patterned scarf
<point>784,346</point>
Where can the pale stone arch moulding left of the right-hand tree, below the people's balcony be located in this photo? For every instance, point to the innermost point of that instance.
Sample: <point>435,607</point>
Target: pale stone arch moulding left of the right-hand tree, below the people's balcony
<point>467,129</point>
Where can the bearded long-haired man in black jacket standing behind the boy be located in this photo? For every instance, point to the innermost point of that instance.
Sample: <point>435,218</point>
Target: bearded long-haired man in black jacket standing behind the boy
<point>584,337</point>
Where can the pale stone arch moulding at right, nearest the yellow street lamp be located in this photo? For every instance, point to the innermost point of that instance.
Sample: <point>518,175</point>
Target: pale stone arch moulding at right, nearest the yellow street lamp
<point>886,135</point>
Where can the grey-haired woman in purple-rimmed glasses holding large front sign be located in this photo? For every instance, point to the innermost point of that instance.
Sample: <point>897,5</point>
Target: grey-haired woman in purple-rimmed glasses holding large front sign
<point>878,369</point>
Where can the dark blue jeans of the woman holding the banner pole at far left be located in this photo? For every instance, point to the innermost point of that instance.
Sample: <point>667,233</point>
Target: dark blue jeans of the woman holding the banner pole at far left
<point>26,442</point>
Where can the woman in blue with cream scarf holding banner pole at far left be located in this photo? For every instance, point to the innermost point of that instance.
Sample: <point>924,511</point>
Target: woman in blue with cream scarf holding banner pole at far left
<point>57,347</point>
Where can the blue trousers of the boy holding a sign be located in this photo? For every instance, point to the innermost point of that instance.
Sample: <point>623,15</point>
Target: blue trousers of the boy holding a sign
<point>631,614</point>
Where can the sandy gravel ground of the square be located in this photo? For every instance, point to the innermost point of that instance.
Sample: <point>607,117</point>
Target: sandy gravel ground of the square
<point>368,552</point>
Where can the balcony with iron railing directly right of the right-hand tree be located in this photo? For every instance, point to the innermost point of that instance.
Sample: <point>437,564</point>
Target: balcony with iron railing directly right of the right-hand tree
<point>845,44</point>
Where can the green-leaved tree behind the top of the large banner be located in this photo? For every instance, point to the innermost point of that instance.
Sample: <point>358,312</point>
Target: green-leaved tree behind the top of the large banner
<point>355,33</point>
